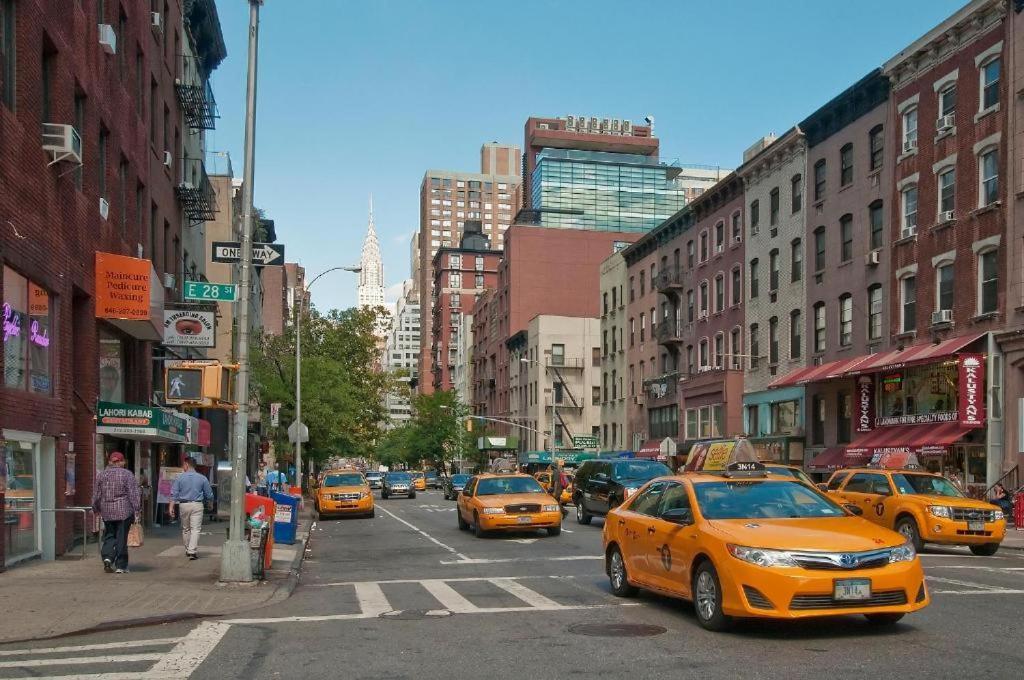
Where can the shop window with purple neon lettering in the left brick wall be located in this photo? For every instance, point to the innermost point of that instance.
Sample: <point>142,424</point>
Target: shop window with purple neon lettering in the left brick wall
<point>27,321</point>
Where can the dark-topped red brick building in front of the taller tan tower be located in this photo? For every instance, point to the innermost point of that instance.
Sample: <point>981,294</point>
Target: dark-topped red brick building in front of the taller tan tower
<point>460,275</point>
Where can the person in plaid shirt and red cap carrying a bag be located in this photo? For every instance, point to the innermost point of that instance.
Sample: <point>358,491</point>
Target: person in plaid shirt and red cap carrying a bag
<point>116,497</point>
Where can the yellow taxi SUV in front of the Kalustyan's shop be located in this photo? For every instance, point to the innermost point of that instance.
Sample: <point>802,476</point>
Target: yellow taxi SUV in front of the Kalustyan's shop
<point>923,506</point>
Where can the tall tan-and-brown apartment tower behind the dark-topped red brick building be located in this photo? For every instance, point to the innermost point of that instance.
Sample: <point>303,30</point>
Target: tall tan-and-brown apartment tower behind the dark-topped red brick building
<point>448,200</point>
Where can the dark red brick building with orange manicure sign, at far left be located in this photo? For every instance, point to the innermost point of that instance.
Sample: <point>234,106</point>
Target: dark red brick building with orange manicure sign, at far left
<point>103,195</point>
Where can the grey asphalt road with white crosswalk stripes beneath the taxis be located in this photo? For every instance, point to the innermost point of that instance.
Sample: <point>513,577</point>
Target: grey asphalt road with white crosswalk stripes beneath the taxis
<point>408,596</point>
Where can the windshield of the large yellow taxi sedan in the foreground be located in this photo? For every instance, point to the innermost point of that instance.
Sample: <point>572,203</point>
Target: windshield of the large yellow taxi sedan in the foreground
<point>746,500</point>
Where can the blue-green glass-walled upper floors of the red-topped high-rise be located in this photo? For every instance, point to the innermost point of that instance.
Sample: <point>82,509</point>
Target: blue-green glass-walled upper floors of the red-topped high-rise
<point>604,192</point>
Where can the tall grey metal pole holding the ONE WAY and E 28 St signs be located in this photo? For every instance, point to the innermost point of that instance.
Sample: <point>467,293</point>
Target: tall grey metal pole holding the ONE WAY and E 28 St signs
<point>235,562</point>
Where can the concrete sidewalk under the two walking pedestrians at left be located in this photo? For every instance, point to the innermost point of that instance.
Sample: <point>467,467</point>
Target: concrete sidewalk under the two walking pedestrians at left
<point>73,596</point>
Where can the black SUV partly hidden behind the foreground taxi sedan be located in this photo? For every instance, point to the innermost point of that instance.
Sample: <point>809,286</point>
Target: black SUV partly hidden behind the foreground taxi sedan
<point>603,485</point>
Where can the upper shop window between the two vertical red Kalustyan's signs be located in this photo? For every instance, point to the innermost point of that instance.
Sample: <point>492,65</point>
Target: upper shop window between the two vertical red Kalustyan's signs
<point>919,392</point>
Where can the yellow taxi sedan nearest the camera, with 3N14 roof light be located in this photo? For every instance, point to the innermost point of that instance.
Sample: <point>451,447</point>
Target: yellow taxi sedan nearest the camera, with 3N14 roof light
<point>746,543</point>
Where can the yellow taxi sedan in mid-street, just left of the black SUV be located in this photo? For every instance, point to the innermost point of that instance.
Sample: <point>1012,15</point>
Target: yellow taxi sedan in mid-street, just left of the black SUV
<point>507,502</point>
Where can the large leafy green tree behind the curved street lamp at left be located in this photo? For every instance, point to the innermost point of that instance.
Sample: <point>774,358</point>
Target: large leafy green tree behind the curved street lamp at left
<point>344,390</point>
